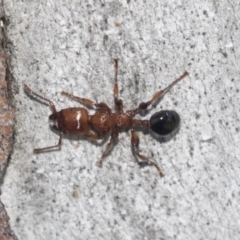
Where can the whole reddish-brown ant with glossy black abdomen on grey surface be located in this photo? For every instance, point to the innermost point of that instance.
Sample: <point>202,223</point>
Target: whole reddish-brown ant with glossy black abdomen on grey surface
<point>78,121</point>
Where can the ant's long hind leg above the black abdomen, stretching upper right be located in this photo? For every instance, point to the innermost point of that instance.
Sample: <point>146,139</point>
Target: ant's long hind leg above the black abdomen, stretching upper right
<point>156,96</point>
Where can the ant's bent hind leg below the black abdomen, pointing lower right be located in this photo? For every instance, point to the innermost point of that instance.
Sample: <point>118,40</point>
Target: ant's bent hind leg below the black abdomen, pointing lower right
<point>135,148</point>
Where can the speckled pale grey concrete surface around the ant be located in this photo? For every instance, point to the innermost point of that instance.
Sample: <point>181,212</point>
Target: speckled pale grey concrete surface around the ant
<point>70,45</point>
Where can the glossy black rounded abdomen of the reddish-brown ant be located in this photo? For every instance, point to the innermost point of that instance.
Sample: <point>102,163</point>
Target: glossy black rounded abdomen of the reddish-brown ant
<point>164,122</point>
